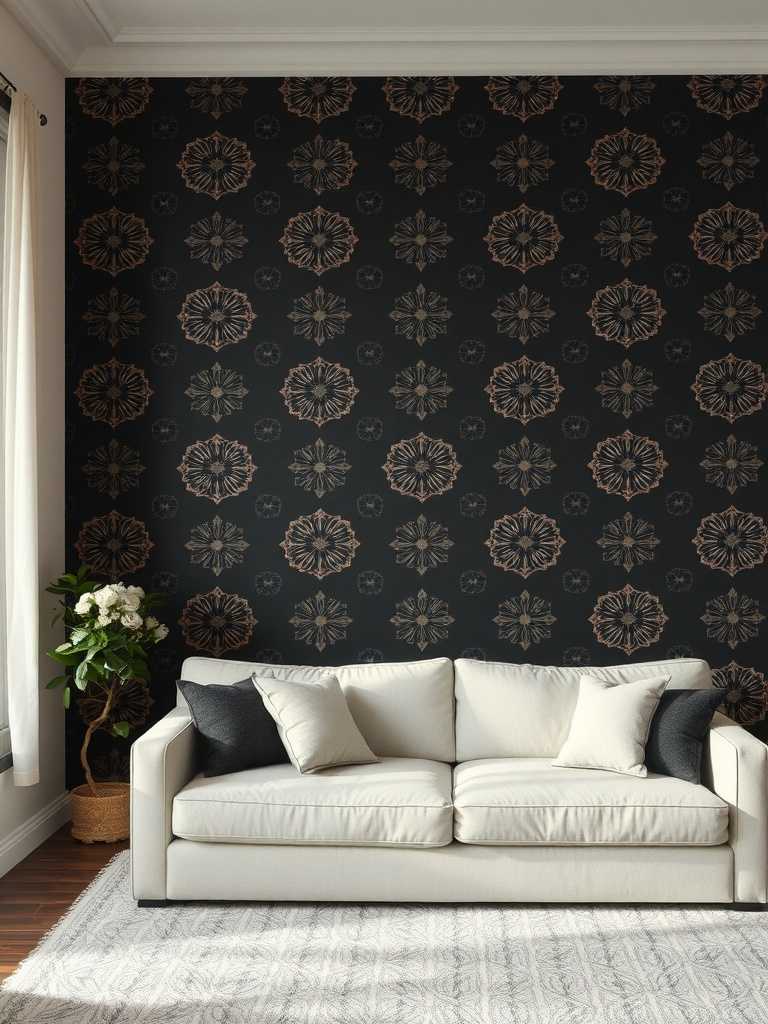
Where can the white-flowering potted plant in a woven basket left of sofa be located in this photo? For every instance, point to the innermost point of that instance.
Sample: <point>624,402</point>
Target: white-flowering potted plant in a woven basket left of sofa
<point>109,633</point>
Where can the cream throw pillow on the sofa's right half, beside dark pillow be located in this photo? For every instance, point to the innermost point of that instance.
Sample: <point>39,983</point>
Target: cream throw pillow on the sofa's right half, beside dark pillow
<point>611,726</point>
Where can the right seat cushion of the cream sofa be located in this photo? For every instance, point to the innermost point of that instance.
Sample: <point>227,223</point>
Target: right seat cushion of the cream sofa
<point>525,801</point>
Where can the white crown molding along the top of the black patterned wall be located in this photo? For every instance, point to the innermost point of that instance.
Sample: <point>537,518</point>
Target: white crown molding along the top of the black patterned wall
<point>82,39</point>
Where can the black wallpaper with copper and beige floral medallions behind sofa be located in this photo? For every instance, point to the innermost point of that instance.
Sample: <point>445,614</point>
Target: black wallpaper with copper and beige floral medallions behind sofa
<point>396,368</point>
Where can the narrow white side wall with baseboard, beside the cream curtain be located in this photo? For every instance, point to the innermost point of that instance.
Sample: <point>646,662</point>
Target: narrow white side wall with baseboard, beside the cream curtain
<point>28,816</point>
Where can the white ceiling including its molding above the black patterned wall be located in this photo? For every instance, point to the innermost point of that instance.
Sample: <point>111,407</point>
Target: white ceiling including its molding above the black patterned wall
<point>359,37</point>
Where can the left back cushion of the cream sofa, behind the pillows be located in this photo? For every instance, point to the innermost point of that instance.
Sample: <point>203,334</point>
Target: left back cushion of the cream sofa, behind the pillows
<point>403,709</point>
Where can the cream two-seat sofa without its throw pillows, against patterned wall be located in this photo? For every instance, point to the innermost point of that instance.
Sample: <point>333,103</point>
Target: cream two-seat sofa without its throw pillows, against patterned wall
<point>463,807</point>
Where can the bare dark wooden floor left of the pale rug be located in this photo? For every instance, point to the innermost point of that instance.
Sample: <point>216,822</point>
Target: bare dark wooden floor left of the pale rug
<point>37,892</point>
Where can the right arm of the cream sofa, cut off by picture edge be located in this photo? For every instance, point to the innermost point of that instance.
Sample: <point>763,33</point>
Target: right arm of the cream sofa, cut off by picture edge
<point>739,765</point>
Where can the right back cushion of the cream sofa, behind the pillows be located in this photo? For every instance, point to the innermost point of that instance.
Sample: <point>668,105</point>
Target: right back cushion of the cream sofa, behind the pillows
<point>525,711</point>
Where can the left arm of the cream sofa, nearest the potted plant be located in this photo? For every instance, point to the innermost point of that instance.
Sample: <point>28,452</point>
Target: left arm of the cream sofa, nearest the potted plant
<point>162,762</point>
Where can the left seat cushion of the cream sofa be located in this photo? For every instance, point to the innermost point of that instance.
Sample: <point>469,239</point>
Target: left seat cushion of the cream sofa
<point>396,802</point>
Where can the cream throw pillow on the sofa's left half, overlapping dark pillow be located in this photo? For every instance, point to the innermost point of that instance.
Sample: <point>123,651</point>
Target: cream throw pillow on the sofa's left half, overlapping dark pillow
<point>315,723</point>
